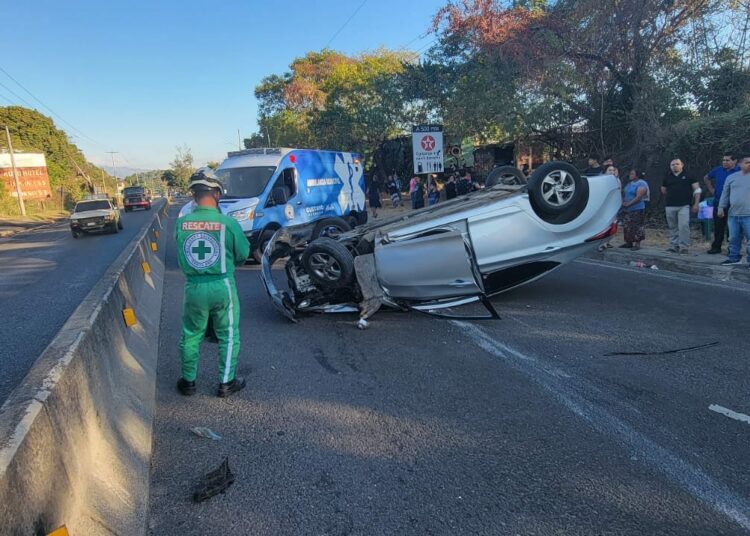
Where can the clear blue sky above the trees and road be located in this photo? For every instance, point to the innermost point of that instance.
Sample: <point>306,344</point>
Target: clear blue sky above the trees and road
<point>141,77</point>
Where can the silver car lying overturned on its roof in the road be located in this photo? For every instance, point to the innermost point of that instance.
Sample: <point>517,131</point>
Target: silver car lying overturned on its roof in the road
<point>449,254</point>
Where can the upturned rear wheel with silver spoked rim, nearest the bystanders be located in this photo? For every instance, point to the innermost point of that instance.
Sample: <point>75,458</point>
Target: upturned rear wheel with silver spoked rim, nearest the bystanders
<point>558,193</point>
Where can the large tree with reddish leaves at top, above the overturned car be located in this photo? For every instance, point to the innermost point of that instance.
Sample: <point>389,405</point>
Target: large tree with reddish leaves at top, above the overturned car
<point>611,71</point>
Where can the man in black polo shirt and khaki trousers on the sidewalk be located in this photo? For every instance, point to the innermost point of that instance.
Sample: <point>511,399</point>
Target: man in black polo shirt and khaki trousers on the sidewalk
<point>680,193</point>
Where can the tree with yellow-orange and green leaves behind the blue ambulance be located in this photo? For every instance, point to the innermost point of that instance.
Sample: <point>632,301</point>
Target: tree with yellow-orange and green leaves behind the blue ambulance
<point>329,100</point>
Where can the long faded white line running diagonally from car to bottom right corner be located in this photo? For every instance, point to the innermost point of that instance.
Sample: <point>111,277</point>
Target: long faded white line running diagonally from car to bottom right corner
<point>690,477</point>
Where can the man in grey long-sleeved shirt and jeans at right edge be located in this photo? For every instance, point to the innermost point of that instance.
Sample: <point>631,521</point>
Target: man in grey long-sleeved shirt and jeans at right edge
<point>736,196</point>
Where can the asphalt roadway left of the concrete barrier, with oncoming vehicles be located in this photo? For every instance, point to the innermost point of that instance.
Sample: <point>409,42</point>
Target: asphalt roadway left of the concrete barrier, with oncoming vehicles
<point>45,275</point>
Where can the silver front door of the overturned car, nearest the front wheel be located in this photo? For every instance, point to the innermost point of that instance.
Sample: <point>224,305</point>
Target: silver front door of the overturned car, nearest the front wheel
<point>433,265</point>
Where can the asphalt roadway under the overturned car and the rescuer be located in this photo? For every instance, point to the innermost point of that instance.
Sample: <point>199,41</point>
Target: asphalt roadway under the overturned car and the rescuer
<point>426,426</point>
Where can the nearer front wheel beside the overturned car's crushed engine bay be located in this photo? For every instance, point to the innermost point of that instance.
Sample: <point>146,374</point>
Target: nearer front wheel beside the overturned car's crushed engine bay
<point>328,263</point>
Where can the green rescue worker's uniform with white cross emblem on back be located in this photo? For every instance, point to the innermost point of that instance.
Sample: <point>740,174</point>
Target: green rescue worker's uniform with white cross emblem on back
<point>209,245</point>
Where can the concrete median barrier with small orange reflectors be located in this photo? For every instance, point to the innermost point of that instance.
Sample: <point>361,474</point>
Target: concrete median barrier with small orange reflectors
<point>75,435</point>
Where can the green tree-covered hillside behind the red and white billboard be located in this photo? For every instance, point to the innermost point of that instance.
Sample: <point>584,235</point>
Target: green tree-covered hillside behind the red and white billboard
<point>66,165</point>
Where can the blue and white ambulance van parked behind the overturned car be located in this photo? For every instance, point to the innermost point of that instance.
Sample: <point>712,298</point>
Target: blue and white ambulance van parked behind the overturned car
<point>266,189</point>
